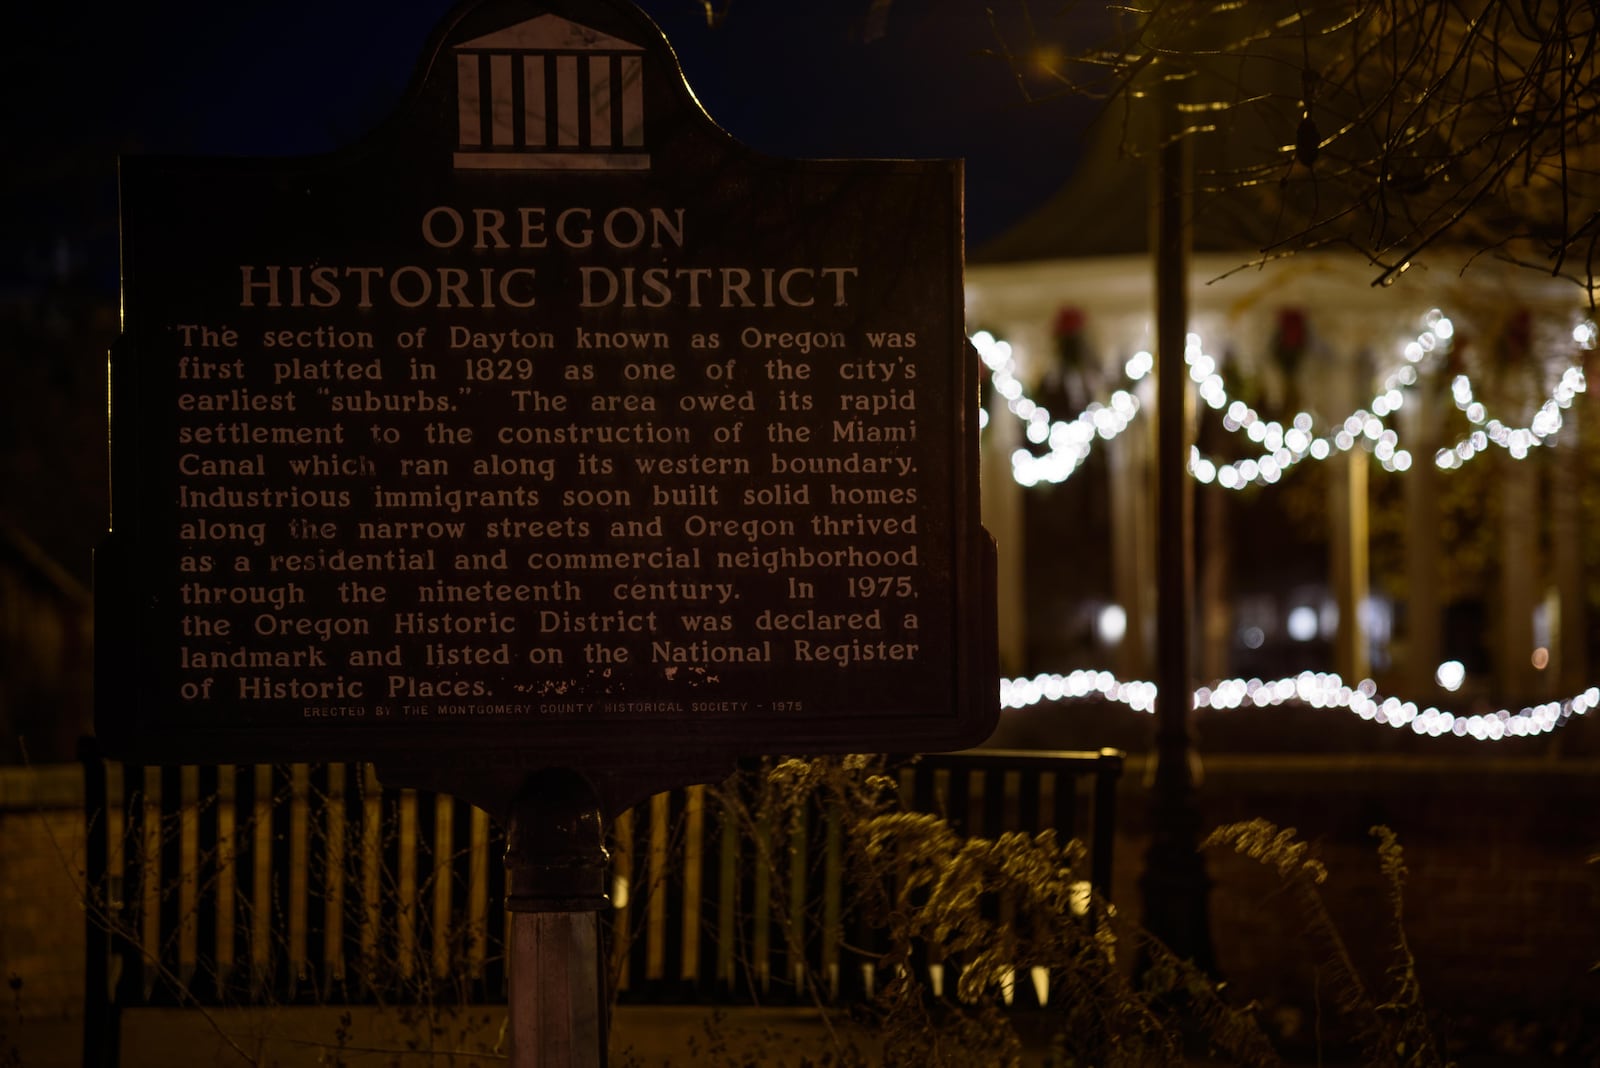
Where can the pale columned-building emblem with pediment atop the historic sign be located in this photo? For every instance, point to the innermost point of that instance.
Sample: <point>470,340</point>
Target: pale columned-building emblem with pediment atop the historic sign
<point>551,95</point>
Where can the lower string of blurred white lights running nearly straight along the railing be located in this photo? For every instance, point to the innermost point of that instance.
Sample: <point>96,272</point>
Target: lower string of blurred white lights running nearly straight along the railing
<point>1318,690</point>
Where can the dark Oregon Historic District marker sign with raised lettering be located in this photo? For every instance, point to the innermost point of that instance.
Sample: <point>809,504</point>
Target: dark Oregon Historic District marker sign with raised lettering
<point>548,421</point>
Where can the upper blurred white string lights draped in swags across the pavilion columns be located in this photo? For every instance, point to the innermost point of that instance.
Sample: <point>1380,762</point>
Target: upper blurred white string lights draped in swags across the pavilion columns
<point>1281,447</point>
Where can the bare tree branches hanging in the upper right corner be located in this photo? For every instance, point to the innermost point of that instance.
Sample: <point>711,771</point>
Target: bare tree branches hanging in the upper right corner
<point>1388,126</point>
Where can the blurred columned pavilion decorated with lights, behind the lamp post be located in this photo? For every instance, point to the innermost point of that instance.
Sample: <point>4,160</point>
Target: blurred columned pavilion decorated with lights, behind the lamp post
<point>1390,480</point>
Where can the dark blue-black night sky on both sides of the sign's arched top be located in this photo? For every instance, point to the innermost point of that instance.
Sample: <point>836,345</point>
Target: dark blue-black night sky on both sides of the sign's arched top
<point>817,79</point>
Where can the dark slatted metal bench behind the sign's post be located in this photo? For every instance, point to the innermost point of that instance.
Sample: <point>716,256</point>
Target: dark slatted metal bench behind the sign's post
<point>314,885</point>
